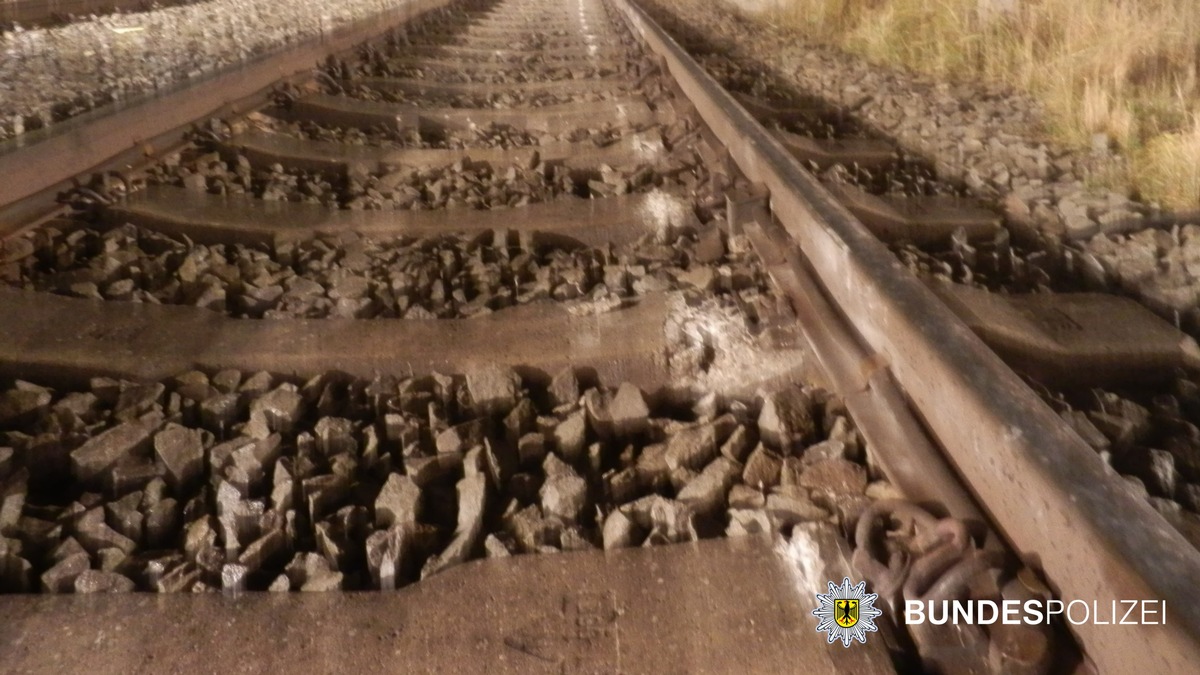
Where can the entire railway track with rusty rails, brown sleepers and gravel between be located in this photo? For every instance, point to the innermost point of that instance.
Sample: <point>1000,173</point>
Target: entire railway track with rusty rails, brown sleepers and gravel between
<point>520,278</point>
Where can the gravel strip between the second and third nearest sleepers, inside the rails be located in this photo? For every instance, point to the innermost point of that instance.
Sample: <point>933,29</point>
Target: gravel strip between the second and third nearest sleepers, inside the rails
<point>350,277</point>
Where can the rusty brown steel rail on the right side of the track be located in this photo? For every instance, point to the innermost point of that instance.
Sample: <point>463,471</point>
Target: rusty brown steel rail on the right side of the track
<point>1051,494</point>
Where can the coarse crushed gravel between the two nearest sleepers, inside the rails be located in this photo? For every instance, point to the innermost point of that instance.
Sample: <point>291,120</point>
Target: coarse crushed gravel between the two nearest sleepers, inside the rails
<point>236,482</point>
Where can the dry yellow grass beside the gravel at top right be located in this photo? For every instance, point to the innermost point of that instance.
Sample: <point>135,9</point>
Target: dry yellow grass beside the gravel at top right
<point>1123,68</point>
